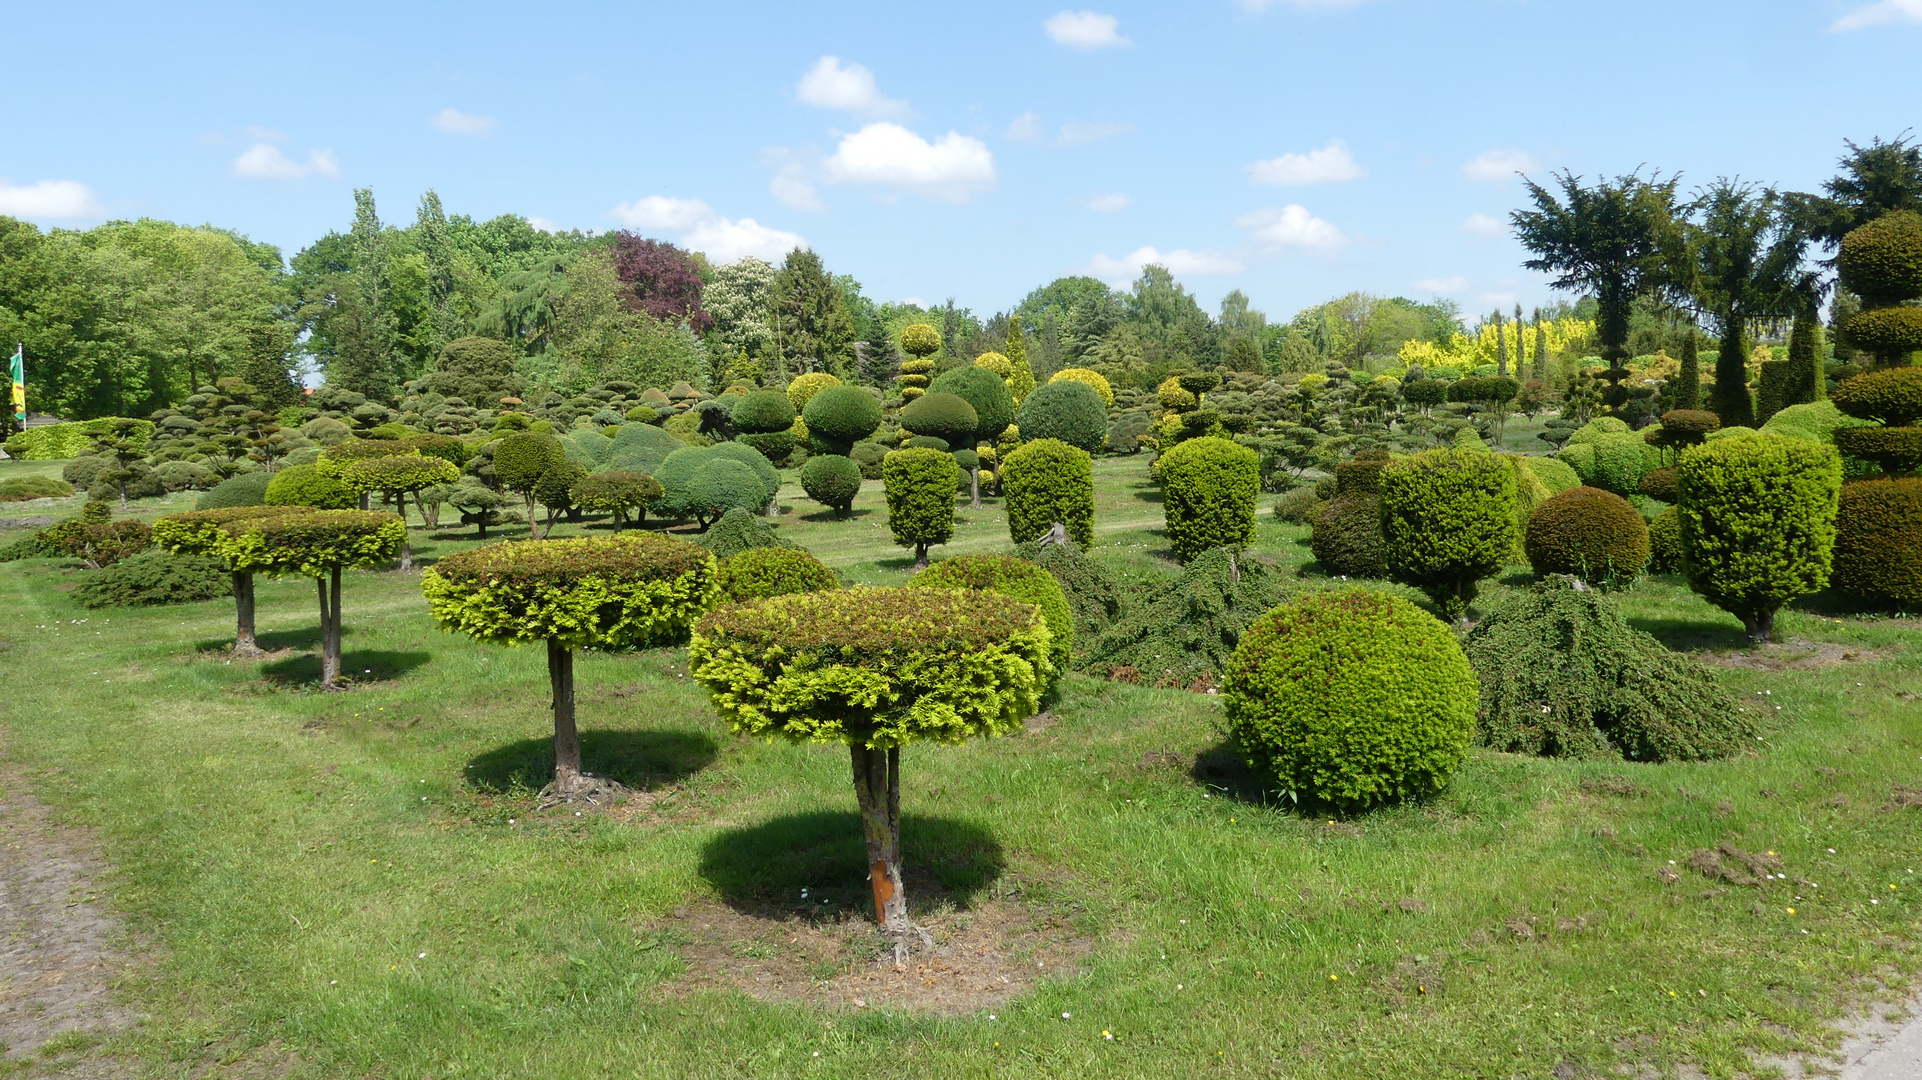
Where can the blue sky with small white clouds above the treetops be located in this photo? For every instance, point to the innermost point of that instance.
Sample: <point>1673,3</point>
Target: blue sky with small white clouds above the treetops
<point>1293,149</point>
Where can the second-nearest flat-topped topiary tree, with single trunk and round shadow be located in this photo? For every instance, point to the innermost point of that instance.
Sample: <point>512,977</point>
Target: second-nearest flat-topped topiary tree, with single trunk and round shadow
<point>618,593</point>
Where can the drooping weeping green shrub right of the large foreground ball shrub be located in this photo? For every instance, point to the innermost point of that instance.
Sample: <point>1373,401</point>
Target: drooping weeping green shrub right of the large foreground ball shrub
<point>1564,675</point>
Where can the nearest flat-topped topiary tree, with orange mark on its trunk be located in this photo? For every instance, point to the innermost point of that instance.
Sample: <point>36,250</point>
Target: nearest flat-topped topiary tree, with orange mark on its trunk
<point>877,670</point>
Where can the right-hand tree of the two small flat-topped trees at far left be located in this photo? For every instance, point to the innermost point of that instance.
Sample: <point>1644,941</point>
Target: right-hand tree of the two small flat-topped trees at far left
<point>320,545</point>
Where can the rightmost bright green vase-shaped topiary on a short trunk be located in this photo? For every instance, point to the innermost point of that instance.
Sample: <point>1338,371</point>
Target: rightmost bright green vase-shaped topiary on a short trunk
<point>1758,524</point>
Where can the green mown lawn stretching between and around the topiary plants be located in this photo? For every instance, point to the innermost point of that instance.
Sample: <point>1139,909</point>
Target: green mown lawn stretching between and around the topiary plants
<point>360,885</point>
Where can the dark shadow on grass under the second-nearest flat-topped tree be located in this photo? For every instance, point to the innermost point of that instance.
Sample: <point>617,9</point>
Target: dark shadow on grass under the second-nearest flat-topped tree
<point>637,760</point>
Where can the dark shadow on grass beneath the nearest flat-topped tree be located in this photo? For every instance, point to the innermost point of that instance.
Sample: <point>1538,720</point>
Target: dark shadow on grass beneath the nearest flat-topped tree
<point>768,866</point>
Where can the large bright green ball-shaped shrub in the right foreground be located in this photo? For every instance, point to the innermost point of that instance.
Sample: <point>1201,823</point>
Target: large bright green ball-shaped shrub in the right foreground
<point>1352,699</point>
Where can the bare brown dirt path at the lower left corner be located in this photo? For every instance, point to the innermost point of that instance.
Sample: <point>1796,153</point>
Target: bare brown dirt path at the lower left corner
<point>59,943</point>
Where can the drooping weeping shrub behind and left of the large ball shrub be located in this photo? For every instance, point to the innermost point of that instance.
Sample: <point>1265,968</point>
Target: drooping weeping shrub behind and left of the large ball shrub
<point>1181,633</point>
